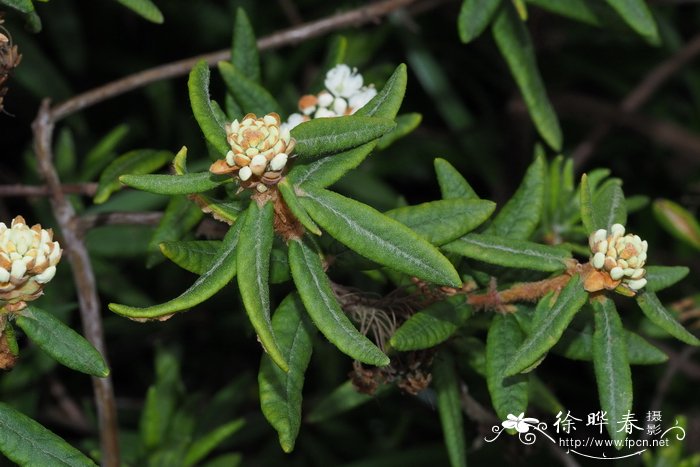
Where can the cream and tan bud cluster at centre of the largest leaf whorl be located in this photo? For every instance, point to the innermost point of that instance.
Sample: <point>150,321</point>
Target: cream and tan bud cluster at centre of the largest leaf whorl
<point>259,151</point>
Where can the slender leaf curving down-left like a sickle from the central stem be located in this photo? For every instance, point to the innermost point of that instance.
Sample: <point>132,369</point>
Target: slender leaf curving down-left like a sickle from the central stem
<point>214,279</point>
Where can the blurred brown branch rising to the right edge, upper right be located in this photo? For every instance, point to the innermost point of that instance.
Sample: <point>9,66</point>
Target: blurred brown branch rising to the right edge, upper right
<point>639,95</point>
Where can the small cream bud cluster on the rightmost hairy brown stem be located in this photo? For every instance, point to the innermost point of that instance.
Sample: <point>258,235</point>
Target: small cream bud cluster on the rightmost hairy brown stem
<point>620,256</point>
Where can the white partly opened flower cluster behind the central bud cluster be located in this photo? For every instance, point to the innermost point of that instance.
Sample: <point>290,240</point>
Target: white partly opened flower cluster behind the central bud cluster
<point>344,95</point>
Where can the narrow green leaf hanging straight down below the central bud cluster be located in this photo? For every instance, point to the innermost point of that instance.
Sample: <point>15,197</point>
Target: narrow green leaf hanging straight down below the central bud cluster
<point>253,264</point>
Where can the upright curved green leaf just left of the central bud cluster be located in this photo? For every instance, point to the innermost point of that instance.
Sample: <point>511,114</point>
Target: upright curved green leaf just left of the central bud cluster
<point>204,113</point>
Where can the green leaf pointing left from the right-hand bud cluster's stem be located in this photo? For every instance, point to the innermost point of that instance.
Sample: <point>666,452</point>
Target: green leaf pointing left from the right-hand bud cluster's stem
<point>510,253</point>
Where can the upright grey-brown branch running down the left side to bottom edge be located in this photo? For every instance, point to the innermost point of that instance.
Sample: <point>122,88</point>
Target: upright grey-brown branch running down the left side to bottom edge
<point>84,277</point>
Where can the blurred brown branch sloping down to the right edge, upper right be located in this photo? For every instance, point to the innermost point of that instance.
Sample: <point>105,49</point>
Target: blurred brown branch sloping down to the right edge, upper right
<point>669,134</point>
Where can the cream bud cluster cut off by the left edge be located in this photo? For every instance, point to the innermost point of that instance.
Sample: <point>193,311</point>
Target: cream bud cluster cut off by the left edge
<point>28,258</point>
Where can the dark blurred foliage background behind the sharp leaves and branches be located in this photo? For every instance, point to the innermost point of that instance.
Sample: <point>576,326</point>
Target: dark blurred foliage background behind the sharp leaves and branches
<point>473,116</point>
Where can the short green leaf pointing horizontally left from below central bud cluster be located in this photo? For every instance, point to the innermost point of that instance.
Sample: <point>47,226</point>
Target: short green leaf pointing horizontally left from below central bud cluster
<point>175,184</point>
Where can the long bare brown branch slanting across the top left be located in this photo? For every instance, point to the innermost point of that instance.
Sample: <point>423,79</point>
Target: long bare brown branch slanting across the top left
<point>356,17</point>
